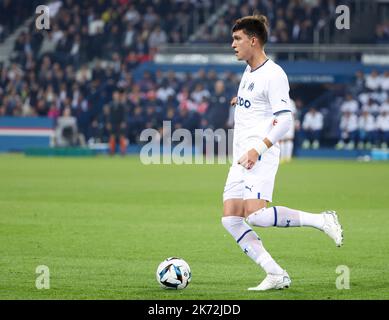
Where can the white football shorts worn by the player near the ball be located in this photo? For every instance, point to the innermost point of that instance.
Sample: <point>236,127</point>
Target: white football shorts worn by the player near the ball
<point>256,183</point>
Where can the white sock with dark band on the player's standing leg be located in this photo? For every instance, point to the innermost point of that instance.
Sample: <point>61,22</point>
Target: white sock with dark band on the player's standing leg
<point>250,243</point>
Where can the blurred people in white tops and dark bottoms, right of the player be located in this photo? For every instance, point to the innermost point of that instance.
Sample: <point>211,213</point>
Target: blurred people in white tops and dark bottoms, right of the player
<point>363,115</point>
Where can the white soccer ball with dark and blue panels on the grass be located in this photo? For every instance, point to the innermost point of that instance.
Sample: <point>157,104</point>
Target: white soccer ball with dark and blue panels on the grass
<point>173,273</point>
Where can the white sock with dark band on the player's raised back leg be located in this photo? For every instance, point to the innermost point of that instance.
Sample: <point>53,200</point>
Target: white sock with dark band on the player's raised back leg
<point>285,217</point>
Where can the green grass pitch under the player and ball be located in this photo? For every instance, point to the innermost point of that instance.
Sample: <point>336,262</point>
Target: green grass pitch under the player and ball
<point>102,226</point>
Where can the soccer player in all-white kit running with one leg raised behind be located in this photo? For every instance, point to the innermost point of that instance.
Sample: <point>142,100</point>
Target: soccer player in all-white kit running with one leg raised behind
<point>262,117</point>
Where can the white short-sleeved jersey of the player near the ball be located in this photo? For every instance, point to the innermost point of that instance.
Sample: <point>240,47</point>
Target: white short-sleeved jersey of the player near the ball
<point>262,93</point>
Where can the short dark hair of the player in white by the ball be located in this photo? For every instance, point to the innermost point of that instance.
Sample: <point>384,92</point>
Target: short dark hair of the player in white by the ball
<point>254,26</point>
